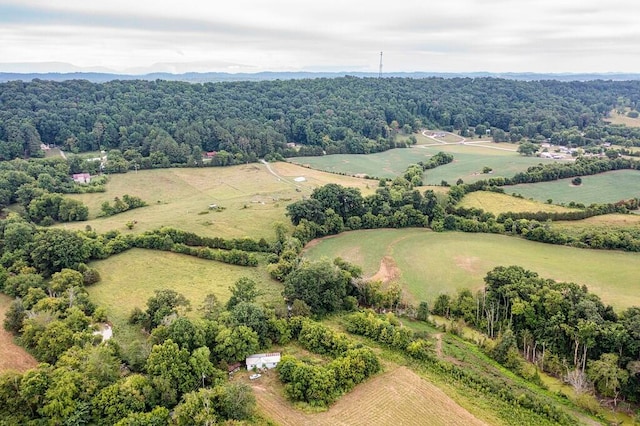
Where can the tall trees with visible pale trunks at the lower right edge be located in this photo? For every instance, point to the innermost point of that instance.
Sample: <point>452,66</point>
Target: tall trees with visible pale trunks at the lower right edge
<point>560,326</point>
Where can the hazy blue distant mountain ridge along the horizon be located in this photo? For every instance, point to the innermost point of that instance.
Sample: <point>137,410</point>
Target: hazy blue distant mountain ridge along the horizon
<point>197,77</point>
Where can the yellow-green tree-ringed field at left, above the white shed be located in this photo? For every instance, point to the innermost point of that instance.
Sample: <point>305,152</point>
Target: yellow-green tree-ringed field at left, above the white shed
<point>130,278</point>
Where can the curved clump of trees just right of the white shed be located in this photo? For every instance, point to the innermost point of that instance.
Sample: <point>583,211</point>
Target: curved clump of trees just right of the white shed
<point>320,385</point>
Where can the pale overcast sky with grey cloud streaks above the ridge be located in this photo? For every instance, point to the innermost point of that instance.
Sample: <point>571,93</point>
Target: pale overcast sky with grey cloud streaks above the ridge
<point>136,36</point>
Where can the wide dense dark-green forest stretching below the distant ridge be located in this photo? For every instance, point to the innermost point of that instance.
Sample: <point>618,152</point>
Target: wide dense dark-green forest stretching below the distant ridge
<point>160,123</point>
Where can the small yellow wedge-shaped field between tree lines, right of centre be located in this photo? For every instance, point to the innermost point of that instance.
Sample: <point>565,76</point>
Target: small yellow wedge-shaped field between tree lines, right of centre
<point>497,203</point>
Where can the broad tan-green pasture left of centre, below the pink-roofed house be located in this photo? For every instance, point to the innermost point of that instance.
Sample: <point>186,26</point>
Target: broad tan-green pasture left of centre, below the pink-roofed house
<point>253,198</point>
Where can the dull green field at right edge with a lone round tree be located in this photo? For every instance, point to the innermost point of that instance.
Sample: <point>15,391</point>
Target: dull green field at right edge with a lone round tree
<point>602,188</point>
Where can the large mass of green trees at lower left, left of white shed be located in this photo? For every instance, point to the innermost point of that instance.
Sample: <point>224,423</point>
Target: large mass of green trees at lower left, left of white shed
<point>82,381</point>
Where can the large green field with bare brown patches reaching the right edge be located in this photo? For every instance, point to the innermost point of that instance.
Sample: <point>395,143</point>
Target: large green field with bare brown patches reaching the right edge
<point>430,263</point>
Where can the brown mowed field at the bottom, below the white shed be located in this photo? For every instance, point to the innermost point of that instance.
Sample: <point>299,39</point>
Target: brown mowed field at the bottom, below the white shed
<point>396,397</point>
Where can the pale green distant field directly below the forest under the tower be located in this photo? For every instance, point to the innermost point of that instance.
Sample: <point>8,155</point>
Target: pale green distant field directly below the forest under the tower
<point>469,160</point>
